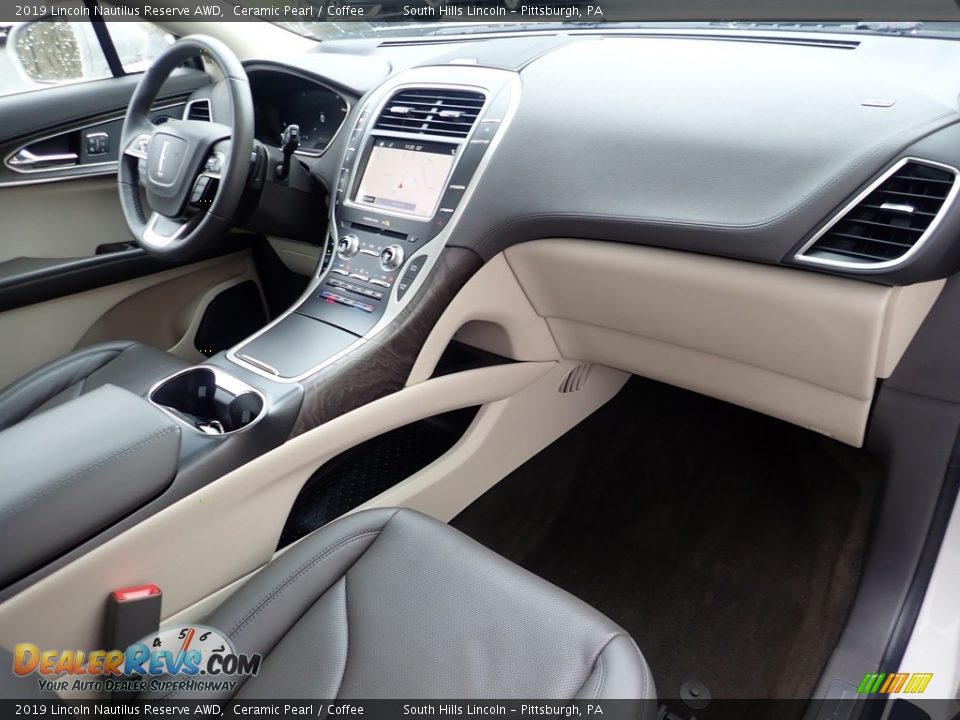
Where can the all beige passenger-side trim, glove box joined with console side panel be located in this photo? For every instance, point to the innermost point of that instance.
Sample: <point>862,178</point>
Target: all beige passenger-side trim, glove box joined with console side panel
<point>793,344</point>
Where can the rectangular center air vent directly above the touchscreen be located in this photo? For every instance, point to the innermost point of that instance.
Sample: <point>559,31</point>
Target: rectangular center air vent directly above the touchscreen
<point>429,111</point>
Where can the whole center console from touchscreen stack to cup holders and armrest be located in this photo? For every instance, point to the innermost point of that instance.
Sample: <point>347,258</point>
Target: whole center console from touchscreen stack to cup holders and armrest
<point>416,149</point>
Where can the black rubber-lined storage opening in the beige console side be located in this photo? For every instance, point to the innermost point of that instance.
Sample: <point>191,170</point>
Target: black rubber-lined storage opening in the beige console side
<point>363,472</point>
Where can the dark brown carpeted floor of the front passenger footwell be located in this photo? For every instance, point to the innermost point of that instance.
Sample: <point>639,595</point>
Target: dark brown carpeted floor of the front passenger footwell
<point>726,542</point>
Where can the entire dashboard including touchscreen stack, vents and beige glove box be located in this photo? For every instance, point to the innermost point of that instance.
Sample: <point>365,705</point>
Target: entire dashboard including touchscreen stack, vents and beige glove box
<point>761,217</point>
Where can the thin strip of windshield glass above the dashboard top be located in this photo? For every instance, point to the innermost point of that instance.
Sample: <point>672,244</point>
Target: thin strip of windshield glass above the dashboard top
<point>398,22</point>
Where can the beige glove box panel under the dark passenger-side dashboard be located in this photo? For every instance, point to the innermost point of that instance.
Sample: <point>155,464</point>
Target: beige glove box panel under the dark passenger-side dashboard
<point>804,347</point>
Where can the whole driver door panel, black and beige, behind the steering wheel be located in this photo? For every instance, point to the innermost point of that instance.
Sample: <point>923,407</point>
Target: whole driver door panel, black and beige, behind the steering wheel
<point>70,272</point>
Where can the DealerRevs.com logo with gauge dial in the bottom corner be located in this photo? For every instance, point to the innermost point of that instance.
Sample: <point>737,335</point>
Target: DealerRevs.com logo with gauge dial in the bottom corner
<point>191,658</point>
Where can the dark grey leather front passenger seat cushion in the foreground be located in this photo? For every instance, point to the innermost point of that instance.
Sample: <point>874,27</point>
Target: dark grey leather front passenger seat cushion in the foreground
<point>390,603</point>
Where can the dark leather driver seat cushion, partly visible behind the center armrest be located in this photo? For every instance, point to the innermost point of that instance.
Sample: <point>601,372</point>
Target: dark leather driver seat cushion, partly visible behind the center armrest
<point>133,366</point>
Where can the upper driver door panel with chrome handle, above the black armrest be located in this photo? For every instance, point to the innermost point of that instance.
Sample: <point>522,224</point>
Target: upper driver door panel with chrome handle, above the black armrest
<point>67,208</point>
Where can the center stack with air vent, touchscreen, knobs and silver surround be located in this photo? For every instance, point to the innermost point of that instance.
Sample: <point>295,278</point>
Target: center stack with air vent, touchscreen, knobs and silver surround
<point>411,157</point>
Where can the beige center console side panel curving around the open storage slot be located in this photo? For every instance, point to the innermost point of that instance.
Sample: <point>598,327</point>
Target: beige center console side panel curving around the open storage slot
<point>523,410</point>
